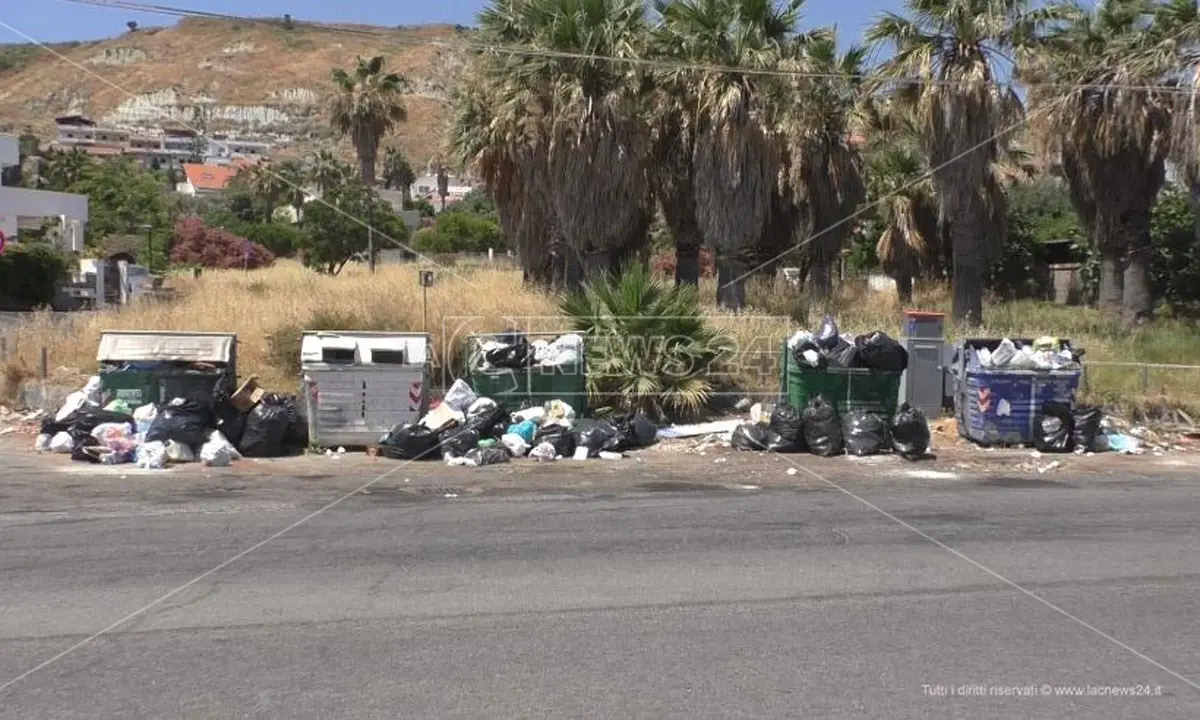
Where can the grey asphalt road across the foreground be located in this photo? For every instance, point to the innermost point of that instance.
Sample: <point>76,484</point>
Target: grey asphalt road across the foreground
<point>799,603</point>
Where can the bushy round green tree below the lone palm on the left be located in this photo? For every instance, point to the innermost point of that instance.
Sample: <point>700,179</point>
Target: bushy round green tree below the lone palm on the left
<point>337,230</point>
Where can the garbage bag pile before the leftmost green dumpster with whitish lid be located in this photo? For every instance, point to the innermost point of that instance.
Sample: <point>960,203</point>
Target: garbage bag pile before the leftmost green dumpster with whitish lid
<point>208,430</point>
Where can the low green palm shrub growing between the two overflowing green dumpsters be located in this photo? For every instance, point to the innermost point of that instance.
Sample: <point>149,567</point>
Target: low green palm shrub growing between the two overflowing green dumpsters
<point>649,345</point>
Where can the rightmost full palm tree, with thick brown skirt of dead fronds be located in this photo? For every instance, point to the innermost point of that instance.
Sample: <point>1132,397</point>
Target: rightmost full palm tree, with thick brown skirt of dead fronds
<point>1112,140</point>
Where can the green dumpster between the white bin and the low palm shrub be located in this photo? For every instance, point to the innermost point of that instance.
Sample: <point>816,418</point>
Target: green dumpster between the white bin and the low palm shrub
<point>527,387</point>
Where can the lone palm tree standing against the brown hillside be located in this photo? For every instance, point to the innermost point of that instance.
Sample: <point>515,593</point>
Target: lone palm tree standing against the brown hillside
<point>369,105</point>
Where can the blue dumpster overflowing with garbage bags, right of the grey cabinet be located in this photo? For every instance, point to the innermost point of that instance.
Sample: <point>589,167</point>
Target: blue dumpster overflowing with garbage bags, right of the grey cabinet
<point>999,407</point>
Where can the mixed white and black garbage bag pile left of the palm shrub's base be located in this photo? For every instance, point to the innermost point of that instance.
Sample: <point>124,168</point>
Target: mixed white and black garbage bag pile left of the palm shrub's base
<point>467,430</point>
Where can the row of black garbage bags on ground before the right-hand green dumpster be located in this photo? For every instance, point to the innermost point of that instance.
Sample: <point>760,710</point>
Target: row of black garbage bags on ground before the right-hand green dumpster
<point>820,430</point>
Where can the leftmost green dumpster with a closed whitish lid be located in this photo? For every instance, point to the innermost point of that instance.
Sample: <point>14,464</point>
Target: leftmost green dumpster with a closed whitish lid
<point>157,368</point>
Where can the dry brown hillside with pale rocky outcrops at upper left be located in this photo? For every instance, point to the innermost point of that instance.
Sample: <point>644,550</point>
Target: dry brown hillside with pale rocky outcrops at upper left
<point>249,77</point>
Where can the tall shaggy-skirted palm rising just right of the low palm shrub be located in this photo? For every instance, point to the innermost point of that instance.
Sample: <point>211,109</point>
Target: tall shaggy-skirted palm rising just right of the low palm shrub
<point>727,122</point>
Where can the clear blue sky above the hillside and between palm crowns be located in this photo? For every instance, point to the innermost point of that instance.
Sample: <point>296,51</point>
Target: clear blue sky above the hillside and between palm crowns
<point>55,21</point>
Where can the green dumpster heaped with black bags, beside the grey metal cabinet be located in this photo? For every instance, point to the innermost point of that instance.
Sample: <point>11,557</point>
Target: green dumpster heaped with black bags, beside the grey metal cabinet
<point>848,388</point>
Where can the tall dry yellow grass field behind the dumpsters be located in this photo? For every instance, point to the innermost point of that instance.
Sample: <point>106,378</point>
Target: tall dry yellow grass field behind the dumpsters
<point>269,309</point>
